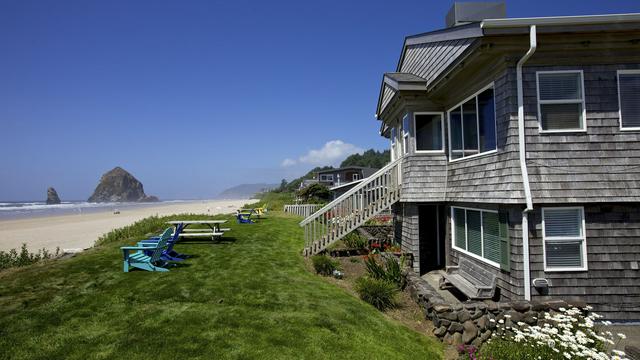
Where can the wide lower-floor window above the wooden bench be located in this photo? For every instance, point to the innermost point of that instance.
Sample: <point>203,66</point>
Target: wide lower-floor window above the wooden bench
<point>481,234</point>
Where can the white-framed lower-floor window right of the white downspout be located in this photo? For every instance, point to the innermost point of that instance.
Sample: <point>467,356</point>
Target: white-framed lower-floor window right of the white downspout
<point>565,247</point>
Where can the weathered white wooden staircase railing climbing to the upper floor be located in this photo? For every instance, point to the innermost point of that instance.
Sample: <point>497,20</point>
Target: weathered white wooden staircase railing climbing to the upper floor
<point>352,209</point>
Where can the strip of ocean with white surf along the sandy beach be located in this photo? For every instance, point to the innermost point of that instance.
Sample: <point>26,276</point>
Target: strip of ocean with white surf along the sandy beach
<point>30,209</point>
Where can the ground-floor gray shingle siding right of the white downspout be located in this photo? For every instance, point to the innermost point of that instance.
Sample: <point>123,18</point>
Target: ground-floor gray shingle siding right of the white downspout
<point>610,285</point>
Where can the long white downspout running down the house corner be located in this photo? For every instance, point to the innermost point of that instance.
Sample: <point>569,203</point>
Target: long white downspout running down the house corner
<point>523,164</point>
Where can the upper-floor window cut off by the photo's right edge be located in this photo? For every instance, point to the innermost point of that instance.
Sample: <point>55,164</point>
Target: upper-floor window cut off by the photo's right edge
<point>629,98</point>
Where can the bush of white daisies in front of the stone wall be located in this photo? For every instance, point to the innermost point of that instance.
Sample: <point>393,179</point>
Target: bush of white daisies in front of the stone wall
<point>568,334</point>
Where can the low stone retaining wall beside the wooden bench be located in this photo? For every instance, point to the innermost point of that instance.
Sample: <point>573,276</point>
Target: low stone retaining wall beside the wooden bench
<point>473,322</point>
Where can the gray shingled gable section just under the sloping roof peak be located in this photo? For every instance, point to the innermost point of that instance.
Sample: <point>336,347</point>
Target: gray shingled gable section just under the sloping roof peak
<point>429,60</point>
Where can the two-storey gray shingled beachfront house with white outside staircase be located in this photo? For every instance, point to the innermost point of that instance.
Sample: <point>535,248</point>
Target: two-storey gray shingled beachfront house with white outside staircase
<point>515,154</point>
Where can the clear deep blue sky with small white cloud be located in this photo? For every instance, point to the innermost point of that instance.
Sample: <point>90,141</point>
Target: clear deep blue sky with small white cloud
<point>196,96</point>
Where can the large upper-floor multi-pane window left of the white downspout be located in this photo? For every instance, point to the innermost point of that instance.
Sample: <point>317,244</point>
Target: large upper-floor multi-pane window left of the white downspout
<point>472,126</point>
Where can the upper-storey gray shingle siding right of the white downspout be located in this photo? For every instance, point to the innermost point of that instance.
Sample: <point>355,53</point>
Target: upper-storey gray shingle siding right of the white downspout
<point>601,165</point>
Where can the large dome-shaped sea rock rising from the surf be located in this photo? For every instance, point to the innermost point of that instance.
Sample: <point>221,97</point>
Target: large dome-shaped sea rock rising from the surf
<point>118,185</point>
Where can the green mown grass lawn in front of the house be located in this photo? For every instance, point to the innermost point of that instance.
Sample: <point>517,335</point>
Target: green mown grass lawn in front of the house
<point>251,298</point>
